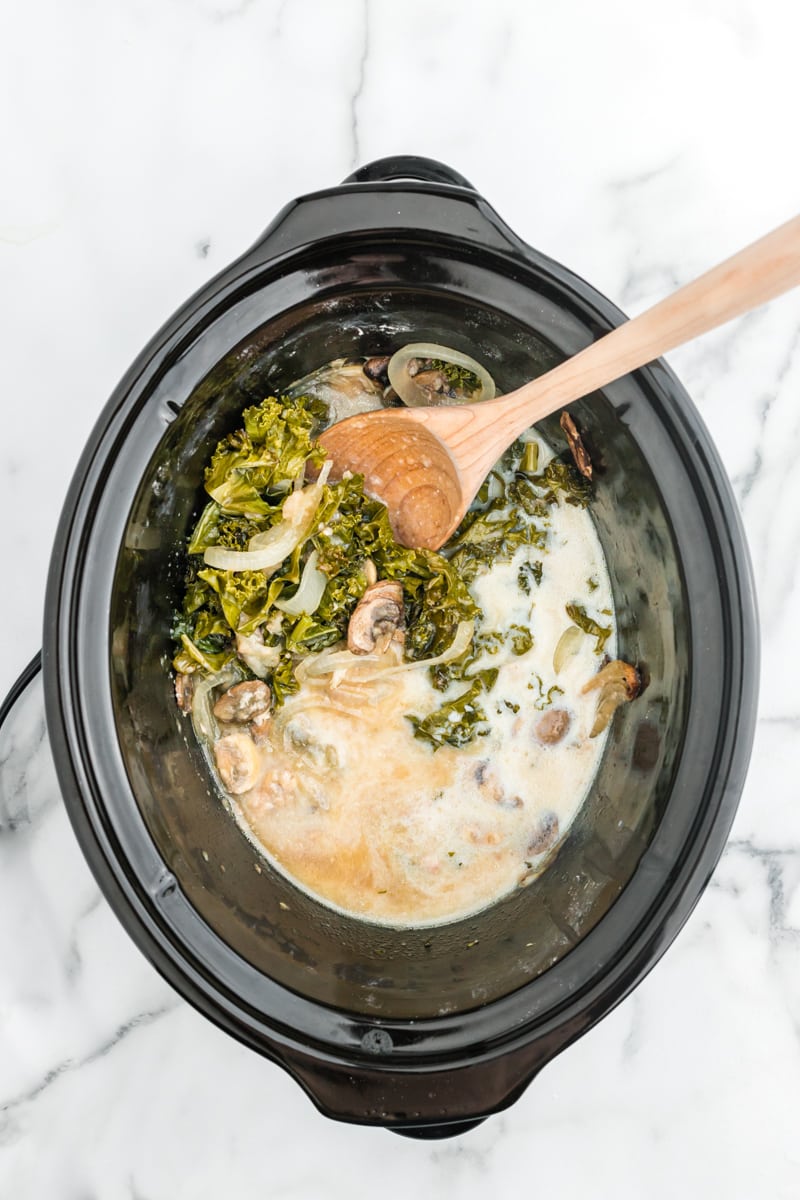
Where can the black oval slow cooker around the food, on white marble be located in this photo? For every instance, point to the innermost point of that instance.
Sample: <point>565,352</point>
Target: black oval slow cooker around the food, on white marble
<point>425,1031</point>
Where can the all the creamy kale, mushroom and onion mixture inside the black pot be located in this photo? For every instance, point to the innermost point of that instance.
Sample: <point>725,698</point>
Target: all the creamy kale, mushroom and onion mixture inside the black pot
<point>407,735</point>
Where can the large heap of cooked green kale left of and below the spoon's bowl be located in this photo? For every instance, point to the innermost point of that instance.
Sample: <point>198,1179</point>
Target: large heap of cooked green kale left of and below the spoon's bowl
<point>250,478</point>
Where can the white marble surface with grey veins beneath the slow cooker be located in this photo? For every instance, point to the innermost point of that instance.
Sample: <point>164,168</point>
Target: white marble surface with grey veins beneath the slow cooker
<point>145,145</point>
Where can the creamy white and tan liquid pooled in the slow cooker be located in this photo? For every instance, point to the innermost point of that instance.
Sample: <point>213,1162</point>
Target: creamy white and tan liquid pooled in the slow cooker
<point>375,823</point>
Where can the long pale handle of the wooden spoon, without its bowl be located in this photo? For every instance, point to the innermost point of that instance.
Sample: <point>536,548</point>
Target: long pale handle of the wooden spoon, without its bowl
<point>763,271</point>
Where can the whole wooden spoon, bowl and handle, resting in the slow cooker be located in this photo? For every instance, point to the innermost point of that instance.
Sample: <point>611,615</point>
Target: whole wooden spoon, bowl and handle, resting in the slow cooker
<point>429,464</point>
